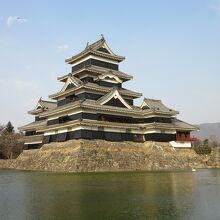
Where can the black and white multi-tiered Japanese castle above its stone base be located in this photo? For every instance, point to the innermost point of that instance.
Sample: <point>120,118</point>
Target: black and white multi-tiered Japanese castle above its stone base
<point>93,104</point>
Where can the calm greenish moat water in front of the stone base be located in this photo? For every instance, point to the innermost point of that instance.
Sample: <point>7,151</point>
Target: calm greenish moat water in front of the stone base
<point>133,195</point>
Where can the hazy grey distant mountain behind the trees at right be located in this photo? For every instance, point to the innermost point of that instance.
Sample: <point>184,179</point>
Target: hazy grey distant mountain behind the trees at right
<point>208,130</point>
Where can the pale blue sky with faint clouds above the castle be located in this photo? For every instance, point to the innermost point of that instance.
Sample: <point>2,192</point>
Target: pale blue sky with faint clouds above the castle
<point>172,49</point>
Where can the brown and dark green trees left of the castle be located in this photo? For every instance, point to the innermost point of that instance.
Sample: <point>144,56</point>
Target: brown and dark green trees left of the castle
<point>10,145</point>
